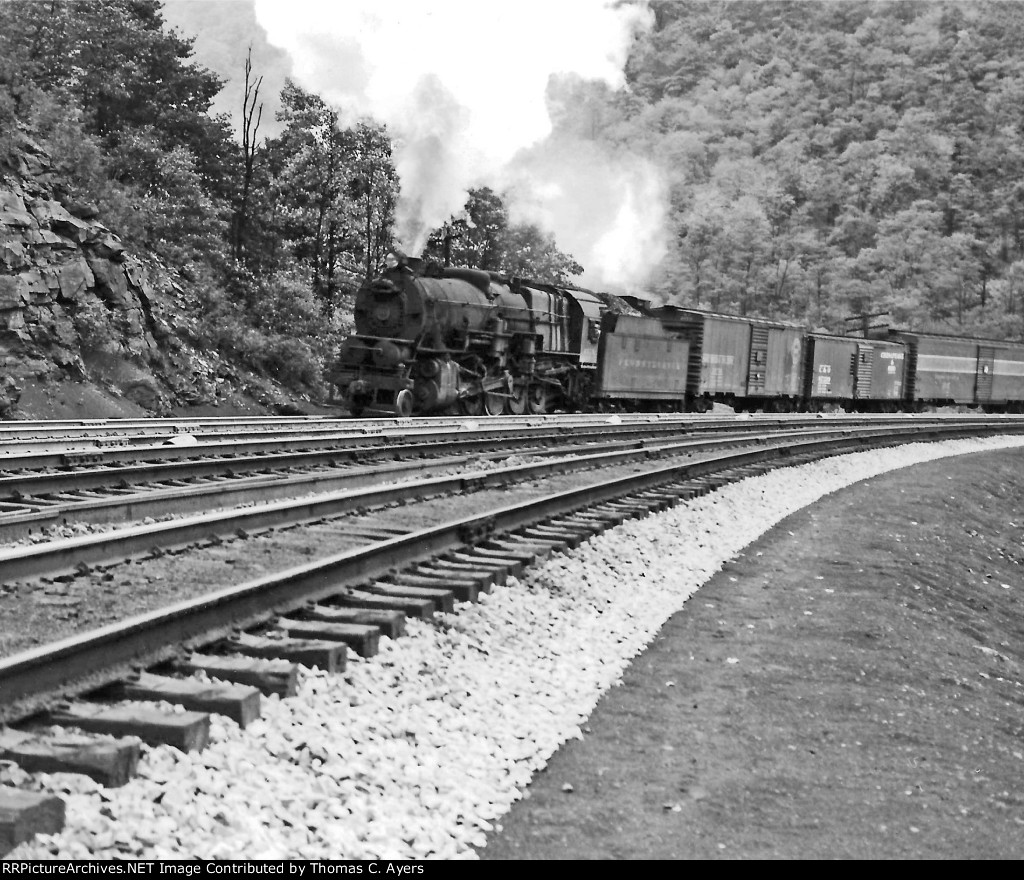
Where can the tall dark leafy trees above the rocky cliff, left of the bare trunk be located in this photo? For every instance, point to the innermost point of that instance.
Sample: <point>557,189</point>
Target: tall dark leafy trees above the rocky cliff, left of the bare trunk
<point>125,115</point>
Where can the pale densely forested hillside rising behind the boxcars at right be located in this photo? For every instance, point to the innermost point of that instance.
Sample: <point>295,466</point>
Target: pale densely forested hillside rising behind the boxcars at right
<point>831,159</point>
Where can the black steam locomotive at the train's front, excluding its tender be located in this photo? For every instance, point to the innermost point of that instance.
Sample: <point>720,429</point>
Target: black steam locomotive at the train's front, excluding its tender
<point>433,340</point>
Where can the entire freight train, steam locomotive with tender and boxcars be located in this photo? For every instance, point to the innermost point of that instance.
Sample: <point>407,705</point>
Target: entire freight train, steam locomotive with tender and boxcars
<point>434,341</point>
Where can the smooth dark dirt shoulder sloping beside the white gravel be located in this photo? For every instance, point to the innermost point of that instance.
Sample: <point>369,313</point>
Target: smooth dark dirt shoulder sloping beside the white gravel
<point>852,686</point>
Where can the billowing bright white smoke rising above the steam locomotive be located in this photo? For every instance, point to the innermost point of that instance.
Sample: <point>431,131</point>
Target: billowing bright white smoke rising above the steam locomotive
<point>461,86</point>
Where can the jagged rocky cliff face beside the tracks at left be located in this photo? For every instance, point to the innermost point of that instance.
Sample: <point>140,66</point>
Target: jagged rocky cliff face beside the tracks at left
<point>77,307</point>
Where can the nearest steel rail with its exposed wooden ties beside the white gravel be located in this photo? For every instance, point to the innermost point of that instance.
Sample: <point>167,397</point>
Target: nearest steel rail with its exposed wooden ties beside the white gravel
<point>316,612</point>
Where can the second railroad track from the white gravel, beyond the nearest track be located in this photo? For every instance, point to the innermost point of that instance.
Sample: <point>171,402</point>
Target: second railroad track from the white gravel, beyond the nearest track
<point>35,498</point>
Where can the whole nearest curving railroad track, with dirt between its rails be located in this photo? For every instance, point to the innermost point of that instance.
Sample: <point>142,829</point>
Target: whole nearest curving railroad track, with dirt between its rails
<point>378,566</point>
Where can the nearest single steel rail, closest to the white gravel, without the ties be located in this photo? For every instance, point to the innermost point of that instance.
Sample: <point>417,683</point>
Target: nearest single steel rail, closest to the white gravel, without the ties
<point>102,656</point>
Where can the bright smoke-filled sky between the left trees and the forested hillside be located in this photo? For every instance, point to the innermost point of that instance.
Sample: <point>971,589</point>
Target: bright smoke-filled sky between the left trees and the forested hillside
<point>463,88</point>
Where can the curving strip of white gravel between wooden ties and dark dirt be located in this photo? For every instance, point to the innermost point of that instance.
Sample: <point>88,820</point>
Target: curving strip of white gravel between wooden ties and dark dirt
<point>417,752</point>
